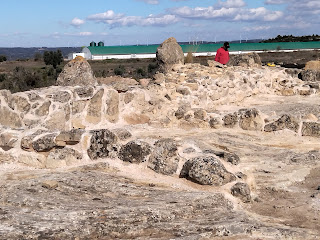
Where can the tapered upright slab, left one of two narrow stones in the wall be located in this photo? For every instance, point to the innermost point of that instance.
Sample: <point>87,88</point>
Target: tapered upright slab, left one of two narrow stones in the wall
<point>95,108</point>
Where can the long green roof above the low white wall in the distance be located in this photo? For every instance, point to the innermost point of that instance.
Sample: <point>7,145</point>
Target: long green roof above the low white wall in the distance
<point>140,49</point>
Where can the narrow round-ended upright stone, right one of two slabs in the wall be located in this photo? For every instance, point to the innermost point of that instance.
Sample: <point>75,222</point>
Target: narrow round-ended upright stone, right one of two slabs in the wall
<point>112,106</point>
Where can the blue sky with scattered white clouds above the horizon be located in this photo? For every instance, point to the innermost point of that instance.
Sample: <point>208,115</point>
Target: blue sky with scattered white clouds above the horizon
<point>75,23</point>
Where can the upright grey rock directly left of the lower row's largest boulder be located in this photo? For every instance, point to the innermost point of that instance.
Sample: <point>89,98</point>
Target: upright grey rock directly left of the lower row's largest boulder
<point>164,158</point>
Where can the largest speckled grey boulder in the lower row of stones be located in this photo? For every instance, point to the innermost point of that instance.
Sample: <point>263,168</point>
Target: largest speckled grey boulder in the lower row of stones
<point>206,170</point>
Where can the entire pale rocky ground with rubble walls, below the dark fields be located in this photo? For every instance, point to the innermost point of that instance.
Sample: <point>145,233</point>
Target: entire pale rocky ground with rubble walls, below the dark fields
<point>199,152</point>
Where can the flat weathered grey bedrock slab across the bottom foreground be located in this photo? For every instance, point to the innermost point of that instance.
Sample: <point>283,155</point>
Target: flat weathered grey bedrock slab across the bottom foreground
<point>89,204</point>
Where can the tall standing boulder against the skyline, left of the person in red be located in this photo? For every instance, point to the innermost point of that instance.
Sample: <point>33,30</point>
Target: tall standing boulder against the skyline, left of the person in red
<point>168,54</point>
